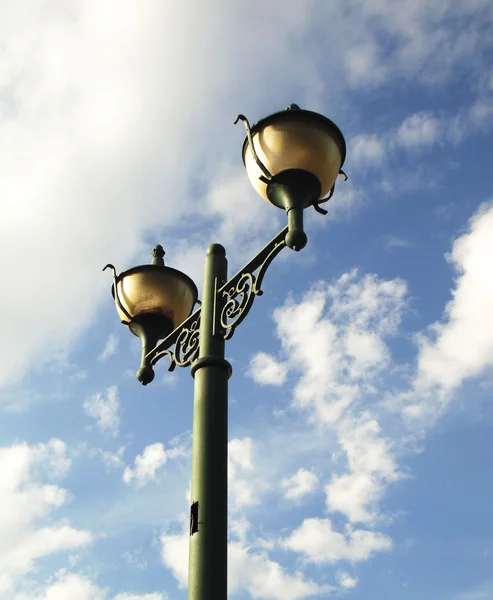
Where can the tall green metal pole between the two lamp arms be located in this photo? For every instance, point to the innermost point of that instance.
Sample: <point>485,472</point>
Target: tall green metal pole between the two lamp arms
<point>207,577</point>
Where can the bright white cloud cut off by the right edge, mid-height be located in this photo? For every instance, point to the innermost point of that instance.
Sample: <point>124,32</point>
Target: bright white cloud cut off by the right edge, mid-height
<point>460,346</point>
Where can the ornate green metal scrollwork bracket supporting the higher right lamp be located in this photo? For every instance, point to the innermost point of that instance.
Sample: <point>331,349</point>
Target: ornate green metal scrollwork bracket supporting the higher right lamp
<point>240,290</point>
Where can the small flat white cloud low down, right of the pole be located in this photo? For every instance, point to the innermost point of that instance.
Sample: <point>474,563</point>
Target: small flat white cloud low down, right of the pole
<point>317,540</point>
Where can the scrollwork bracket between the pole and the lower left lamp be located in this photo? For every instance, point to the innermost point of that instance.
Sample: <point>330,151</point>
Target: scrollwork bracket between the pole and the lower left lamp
<point>186,344</point>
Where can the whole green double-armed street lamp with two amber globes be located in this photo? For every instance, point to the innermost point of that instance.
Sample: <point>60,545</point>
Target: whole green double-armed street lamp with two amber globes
<point>292,158</point>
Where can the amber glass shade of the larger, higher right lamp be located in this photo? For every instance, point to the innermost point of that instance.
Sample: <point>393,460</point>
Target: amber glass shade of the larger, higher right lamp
<point>295,139</point>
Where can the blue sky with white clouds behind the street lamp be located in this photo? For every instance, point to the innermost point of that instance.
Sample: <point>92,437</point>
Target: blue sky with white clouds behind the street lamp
<point>360,411</point>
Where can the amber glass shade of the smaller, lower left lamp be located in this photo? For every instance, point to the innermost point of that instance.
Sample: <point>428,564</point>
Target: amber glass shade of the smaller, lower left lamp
<point>156,290</point>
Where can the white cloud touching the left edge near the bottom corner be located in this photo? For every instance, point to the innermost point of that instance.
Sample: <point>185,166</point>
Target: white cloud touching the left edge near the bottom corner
<point>27,529</point>
